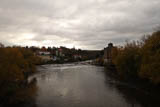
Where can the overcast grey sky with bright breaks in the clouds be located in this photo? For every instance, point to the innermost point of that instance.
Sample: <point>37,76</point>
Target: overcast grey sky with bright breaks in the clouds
<point>85,24</point>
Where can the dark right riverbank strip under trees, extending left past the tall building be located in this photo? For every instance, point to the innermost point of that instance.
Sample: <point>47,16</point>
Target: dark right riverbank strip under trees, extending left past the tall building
<point>135,82</point>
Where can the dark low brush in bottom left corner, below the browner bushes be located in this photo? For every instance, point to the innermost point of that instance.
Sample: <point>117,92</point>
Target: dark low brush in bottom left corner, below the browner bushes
<point>23,96</point>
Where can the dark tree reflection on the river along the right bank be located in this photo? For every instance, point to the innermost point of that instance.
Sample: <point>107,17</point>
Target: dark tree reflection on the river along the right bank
<point>132,94</point>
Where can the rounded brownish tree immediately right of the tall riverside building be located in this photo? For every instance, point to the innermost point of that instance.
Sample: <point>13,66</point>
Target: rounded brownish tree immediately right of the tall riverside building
<point>128,60</point>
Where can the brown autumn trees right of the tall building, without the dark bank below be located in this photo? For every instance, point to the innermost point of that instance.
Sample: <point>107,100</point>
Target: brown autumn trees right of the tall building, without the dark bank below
<point>139,59</point>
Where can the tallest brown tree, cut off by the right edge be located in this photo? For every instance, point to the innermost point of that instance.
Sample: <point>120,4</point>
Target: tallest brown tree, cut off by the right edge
<point>150,67</point>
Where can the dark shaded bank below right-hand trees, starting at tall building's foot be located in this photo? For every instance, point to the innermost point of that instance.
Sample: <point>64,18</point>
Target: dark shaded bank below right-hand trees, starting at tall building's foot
<point>142,85</point>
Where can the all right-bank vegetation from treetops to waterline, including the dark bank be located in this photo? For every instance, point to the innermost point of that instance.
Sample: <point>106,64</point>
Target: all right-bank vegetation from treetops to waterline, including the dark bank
<point>137,63</point>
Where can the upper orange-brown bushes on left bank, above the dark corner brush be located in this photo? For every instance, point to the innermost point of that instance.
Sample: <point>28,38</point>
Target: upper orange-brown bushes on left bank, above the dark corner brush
<point>15,66</point>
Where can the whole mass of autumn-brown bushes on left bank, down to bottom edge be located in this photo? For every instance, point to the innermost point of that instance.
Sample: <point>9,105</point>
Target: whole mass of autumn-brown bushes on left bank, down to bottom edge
<point>16,65</point>
